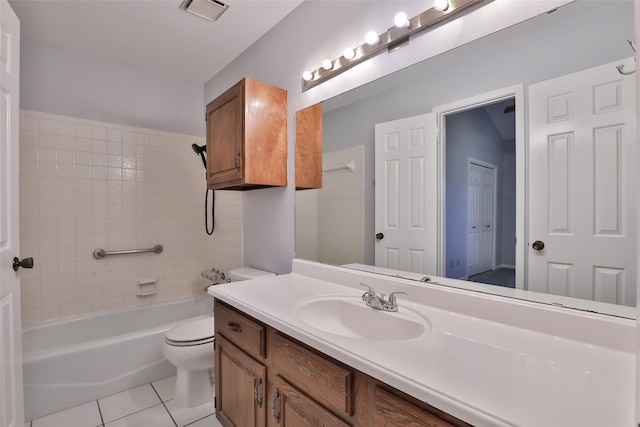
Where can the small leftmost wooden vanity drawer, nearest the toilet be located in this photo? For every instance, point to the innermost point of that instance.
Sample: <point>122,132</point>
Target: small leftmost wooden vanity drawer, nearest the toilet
<point>240,329</point>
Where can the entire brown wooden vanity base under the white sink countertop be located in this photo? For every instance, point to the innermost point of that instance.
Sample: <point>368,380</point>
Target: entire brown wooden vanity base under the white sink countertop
<point>303,386</point>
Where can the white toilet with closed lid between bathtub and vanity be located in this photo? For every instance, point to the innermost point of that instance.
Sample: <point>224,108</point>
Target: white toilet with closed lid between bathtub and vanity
<point>189,347</point>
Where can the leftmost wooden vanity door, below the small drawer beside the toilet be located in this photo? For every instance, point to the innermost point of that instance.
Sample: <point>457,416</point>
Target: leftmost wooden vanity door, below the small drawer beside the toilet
<point>240,386</point>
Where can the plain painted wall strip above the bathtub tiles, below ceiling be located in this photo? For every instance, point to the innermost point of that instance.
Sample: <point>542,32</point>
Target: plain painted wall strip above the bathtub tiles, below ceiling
<point>62,81</point>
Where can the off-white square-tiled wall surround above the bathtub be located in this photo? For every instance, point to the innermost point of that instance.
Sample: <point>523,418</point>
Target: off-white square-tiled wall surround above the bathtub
<point>86,185</point>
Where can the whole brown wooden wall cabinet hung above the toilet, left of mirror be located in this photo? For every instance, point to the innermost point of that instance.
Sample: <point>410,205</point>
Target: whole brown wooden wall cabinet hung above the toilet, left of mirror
<point>247,137</point>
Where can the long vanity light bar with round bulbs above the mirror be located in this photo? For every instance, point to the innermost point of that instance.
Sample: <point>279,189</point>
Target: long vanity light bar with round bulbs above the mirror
<point>392,39</point>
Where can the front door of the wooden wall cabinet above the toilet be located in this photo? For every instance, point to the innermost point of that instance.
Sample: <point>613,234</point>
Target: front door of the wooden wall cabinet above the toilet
<point>225,137</point>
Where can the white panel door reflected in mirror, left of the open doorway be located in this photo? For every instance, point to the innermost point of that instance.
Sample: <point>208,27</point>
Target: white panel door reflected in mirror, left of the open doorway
<point>405,194</point>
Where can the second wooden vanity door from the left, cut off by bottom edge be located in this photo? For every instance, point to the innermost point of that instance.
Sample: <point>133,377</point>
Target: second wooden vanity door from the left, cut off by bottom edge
<point>291,408</point>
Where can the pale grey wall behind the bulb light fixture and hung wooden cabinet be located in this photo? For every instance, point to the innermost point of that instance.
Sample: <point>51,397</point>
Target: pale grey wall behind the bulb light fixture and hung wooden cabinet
<point>316,30</point>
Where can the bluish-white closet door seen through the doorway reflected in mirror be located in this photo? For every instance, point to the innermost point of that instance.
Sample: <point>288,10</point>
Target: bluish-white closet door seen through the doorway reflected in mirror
<point>480,218</point>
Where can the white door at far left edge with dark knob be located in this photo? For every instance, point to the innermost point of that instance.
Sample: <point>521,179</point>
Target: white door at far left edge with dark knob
<point>11,400</point>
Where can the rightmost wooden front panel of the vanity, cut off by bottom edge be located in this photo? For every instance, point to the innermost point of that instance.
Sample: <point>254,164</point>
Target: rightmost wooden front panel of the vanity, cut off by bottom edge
<point>391,411</point>
